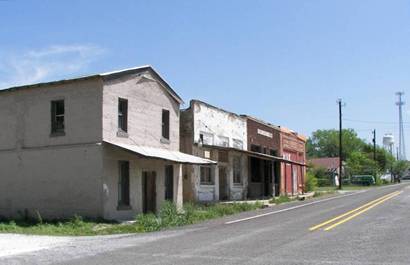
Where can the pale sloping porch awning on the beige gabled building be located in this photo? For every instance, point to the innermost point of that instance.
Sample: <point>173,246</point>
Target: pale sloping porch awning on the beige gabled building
<point>162,154</point>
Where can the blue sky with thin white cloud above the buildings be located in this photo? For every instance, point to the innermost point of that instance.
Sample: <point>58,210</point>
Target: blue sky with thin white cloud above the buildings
<point>286,62</point>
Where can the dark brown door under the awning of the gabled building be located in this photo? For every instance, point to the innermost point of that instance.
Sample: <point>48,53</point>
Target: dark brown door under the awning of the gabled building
<point>149,191</point>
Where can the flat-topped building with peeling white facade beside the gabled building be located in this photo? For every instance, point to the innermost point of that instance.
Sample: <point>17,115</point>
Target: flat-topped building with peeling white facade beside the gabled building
<point>216,134</point>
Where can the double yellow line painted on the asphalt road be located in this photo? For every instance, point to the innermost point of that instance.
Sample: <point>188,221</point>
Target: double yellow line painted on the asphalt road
<point>353,213</point>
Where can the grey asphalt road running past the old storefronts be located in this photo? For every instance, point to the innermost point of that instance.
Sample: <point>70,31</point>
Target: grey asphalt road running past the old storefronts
<point>278,235</point>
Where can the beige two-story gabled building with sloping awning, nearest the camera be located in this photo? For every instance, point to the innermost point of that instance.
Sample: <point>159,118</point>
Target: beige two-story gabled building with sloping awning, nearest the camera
<point>104,145</point>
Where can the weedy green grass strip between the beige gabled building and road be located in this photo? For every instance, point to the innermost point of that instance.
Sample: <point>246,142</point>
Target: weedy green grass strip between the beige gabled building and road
<point>167,217</point>
